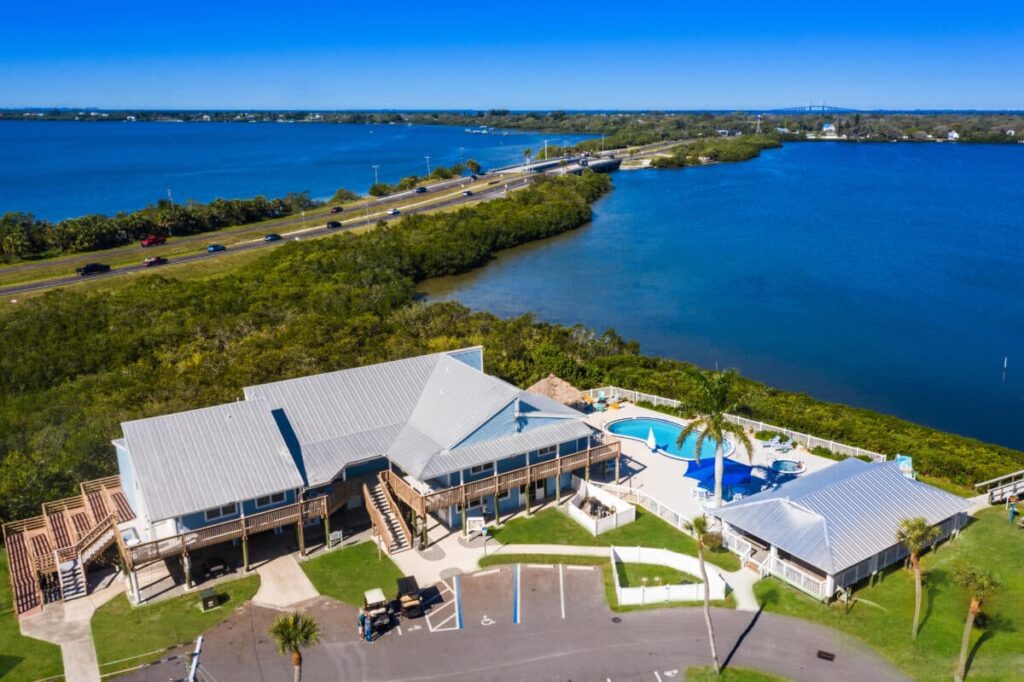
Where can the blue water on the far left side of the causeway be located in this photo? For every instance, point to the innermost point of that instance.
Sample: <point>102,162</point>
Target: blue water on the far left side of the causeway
<point>63,169</point>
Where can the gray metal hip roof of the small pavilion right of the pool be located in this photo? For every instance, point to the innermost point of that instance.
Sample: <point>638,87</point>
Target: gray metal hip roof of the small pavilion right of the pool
<point>841,516</point>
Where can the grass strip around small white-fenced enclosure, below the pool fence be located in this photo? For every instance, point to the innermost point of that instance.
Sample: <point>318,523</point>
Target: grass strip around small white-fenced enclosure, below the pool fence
<point>553,527</point>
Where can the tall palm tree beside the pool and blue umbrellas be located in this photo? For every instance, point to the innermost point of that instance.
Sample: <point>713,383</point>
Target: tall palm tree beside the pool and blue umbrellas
<point>717,395</point>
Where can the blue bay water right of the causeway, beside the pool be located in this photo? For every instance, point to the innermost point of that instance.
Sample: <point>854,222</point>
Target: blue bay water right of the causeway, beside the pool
<point>882,276</point>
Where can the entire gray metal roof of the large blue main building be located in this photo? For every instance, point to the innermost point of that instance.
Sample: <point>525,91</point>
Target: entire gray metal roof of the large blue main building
<point>304,433</point>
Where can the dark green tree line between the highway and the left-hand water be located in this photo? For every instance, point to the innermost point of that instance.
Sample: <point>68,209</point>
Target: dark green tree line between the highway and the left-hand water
<point>24,236</point>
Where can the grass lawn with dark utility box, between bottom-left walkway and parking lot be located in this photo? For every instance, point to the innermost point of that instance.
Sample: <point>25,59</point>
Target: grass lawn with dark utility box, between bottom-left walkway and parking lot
<point>121,630</point>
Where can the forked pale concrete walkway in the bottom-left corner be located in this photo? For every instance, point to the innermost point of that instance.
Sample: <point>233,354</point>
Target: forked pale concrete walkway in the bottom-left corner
<point>68,625</point>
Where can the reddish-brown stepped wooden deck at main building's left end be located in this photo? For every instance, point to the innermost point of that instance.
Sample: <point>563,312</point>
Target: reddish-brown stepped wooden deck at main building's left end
<point>65,528</point>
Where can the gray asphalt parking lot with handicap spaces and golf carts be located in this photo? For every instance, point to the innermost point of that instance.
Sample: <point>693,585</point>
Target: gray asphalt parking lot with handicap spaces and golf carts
<point>525,622</point>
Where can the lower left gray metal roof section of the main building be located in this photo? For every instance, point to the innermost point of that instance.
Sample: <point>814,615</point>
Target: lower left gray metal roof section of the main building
<point>197,460</point>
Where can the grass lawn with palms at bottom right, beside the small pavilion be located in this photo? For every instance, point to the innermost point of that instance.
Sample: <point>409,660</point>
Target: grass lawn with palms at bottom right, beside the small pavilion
<point>883,616</point>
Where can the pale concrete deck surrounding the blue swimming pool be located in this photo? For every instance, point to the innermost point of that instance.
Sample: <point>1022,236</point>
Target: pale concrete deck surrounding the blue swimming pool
<point>662,478</point>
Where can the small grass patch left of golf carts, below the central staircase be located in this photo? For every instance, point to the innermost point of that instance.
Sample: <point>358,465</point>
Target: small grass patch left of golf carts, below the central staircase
<point>347,574</point>
